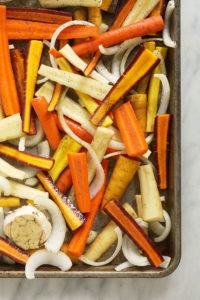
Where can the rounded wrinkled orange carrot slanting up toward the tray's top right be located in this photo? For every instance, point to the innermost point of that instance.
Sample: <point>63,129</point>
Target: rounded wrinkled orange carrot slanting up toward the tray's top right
<point>140,28</point>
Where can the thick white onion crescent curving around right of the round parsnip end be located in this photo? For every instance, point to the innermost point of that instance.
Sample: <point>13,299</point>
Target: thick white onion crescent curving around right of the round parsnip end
<point>57,236</point>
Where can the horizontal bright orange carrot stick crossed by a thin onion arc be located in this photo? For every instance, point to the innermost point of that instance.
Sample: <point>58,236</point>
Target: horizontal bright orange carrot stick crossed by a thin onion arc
<point>20,30</point>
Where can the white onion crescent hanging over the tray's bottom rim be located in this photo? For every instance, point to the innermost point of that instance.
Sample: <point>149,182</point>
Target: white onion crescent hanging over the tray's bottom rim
<point>43,257</point>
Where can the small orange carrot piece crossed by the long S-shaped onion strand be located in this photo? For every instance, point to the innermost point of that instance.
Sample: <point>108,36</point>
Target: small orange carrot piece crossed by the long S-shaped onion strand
<point>76,128</point>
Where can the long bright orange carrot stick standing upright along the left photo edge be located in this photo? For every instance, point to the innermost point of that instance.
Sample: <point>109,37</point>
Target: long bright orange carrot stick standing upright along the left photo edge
<point>8,90</point>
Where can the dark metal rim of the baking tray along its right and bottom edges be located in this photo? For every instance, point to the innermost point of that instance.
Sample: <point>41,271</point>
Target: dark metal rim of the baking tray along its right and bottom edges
<point>172,246</point>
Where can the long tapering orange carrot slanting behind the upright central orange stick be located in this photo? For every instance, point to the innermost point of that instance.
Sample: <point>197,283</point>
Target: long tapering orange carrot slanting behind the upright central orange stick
<point>79,239</point>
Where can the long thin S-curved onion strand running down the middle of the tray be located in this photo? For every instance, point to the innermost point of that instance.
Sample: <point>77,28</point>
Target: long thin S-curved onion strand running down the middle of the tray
<point>98,181</point>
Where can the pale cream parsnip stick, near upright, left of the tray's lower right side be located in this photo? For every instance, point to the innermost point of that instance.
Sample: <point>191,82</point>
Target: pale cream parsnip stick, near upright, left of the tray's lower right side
<point>151,203</point>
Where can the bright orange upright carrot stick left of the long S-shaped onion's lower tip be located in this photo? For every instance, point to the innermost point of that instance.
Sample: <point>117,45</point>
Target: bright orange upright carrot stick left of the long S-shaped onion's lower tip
<point>79,172</point>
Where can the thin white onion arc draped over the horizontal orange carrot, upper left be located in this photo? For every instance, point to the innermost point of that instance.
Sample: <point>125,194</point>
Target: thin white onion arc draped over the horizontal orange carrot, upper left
<point>59,30</point>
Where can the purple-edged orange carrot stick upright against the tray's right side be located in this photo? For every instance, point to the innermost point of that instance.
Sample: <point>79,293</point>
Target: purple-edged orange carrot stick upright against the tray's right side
<point>162,125</point>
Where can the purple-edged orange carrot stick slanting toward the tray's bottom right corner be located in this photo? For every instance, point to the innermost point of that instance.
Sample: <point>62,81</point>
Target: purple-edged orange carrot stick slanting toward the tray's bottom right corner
<point>119,215</point>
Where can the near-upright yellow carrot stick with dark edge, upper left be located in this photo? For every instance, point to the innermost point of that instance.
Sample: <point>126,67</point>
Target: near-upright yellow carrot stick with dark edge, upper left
<point>32,65</point>
